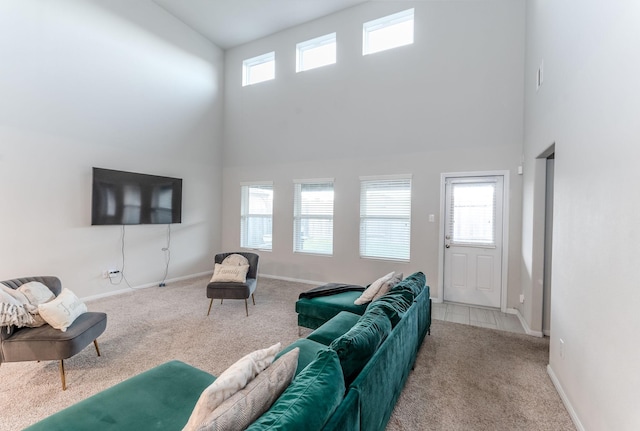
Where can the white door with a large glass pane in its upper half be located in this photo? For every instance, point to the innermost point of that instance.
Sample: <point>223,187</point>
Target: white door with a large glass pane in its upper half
<point>473,240</point>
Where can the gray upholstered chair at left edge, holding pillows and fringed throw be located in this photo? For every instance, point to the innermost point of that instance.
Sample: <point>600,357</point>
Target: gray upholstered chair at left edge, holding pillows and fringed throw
<point>46,343</point>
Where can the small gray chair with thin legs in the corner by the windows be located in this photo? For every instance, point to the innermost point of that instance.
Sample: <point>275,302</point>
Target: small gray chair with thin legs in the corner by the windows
<point>226,290</point>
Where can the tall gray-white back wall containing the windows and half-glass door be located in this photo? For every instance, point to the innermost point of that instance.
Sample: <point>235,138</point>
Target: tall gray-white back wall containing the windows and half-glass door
<point>450,102</point>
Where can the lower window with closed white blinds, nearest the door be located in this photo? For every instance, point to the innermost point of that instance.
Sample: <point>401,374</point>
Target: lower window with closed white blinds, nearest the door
<point>385,217</point>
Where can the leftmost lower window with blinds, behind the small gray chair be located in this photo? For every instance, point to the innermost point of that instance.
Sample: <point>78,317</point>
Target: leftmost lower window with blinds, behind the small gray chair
<point>256,216</point>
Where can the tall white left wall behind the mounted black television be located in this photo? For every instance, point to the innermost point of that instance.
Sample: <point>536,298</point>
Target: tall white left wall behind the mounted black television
<point>114,84</point>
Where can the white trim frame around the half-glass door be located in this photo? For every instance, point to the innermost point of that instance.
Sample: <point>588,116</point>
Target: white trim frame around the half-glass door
<point>505,230</point>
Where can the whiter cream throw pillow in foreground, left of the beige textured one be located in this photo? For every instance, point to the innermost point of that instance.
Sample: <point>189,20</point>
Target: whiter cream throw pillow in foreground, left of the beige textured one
<point>228,383</point>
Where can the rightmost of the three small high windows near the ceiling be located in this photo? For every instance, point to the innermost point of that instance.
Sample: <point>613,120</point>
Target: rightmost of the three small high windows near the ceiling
<point>387,32</point>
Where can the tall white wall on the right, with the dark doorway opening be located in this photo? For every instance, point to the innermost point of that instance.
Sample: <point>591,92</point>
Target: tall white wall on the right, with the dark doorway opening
<point>588,105</point>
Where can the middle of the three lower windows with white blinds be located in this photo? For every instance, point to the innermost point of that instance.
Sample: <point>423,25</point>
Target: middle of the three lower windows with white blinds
<point>313,217</point>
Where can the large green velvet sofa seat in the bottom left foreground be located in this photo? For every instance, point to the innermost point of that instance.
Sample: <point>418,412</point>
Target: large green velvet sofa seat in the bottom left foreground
<point>161,398</point>
